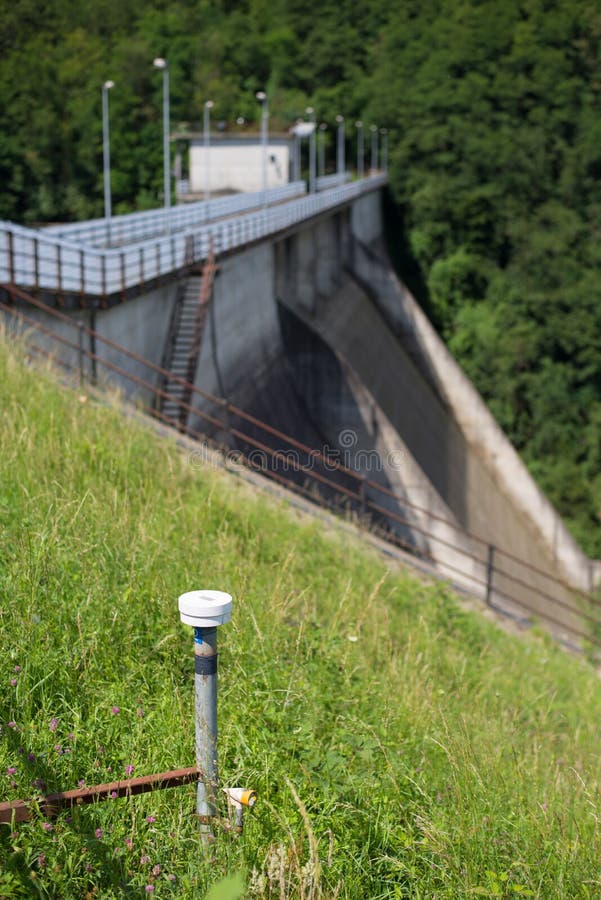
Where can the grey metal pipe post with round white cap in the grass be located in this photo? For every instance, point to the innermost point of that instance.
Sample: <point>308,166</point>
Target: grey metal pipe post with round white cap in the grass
<point>205,611</point>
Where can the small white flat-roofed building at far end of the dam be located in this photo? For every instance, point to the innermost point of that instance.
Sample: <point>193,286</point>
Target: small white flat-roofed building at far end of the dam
<point>235,162</point>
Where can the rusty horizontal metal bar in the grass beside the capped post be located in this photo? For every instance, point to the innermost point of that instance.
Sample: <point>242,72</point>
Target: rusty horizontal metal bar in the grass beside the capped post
<point>53,804</point>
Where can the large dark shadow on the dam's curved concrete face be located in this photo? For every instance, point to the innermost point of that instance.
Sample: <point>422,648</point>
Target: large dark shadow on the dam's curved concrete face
<point>304,392</point>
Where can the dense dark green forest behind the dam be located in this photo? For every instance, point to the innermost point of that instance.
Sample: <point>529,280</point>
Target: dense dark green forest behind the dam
<point>493,112</point>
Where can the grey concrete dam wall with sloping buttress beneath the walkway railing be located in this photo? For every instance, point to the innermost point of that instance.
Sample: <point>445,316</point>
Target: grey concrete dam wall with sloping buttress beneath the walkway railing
<point>309,330</point>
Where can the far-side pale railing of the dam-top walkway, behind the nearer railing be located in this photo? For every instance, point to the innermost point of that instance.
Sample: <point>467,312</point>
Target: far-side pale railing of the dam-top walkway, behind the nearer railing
<point>140,226</point>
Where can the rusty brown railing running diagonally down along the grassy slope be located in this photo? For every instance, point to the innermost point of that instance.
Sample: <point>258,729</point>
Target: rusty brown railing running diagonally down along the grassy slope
<point>507,583</point>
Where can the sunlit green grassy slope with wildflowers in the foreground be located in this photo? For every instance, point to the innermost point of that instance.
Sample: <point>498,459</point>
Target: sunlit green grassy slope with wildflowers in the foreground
<point>401,745</point>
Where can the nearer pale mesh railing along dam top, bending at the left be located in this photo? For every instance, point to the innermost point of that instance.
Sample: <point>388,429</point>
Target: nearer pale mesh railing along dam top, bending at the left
<point>39,261</point>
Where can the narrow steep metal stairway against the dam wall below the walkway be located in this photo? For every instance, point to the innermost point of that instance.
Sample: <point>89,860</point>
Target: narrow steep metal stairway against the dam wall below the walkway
<point>184,338</point>
